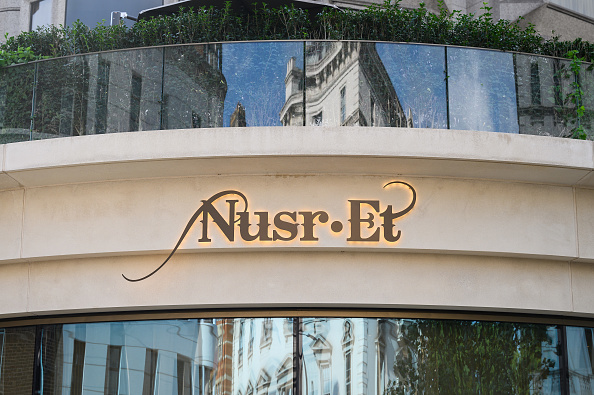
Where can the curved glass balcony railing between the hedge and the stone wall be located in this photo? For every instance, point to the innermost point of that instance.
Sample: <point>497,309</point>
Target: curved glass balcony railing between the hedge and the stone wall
<point>293,83</point>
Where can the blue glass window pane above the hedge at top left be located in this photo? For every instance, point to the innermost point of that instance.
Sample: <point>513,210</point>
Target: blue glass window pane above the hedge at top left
<point>92,12</point>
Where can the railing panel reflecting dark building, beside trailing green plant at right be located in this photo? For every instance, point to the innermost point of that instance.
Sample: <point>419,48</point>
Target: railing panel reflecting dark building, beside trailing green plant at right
<point>543,85</point>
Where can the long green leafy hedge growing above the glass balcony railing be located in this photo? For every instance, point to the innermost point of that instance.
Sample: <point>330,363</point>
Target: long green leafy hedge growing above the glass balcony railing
<point>387,22</point>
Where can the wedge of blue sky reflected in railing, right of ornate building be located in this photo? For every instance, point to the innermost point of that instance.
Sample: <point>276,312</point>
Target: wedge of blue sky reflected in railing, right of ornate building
<point>417,73</point>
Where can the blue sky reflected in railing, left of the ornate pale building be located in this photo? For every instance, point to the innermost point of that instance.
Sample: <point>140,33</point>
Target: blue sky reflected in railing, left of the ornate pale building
<point>255,75</point>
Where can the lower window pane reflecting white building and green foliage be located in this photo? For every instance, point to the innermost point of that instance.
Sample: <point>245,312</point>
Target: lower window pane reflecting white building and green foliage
<point>386,356</point>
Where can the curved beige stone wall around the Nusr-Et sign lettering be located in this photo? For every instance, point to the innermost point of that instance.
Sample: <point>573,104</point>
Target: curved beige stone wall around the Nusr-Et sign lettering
<point>501,223</point>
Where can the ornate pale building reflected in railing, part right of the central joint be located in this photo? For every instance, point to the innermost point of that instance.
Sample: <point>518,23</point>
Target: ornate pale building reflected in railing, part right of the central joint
<point>348,85</point>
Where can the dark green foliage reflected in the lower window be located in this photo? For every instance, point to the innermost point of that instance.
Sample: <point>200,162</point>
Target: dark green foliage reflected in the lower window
<point>469,357</point>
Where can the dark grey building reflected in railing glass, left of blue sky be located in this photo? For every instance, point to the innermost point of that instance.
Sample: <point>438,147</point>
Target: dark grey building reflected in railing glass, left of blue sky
<point>122,91</point>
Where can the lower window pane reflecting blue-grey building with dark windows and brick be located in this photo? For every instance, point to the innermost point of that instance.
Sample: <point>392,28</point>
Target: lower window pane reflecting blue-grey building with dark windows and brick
<point>196,357</point>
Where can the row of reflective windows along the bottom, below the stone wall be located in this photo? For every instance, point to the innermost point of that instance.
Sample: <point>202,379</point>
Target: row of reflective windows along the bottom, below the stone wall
<point>339,356</point>
